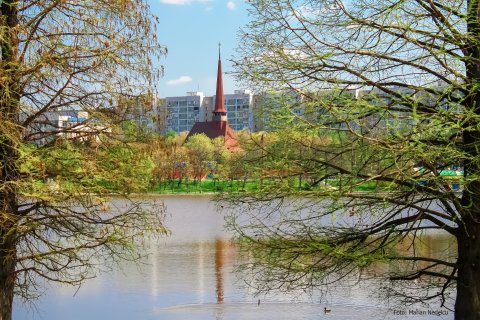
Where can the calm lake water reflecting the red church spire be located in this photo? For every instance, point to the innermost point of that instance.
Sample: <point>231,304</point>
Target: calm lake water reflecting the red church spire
<point>190,276</point>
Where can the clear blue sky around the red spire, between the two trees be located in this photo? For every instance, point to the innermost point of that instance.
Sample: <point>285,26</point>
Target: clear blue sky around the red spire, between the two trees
<point>191,30</point>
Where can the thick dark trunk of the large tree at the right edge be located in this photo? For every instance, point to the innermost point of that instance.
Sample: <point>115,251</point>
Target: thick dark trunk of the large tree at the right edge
<point>467,304</point>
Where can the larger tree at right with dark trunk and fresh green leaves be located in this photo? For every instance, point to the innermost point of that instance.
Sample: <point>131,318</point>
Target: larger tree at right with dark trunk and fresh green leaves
<point>390,97</point>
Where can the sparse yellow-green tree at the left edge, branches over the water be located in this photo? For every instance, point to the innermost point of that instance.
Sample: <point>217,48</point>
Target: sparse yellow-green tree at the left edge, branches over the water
<point>60,56</point>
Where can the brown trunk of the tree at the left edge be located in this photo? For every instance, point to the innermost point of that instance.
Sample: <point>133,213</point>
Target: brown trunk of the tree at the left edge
<point>10,138</point>
